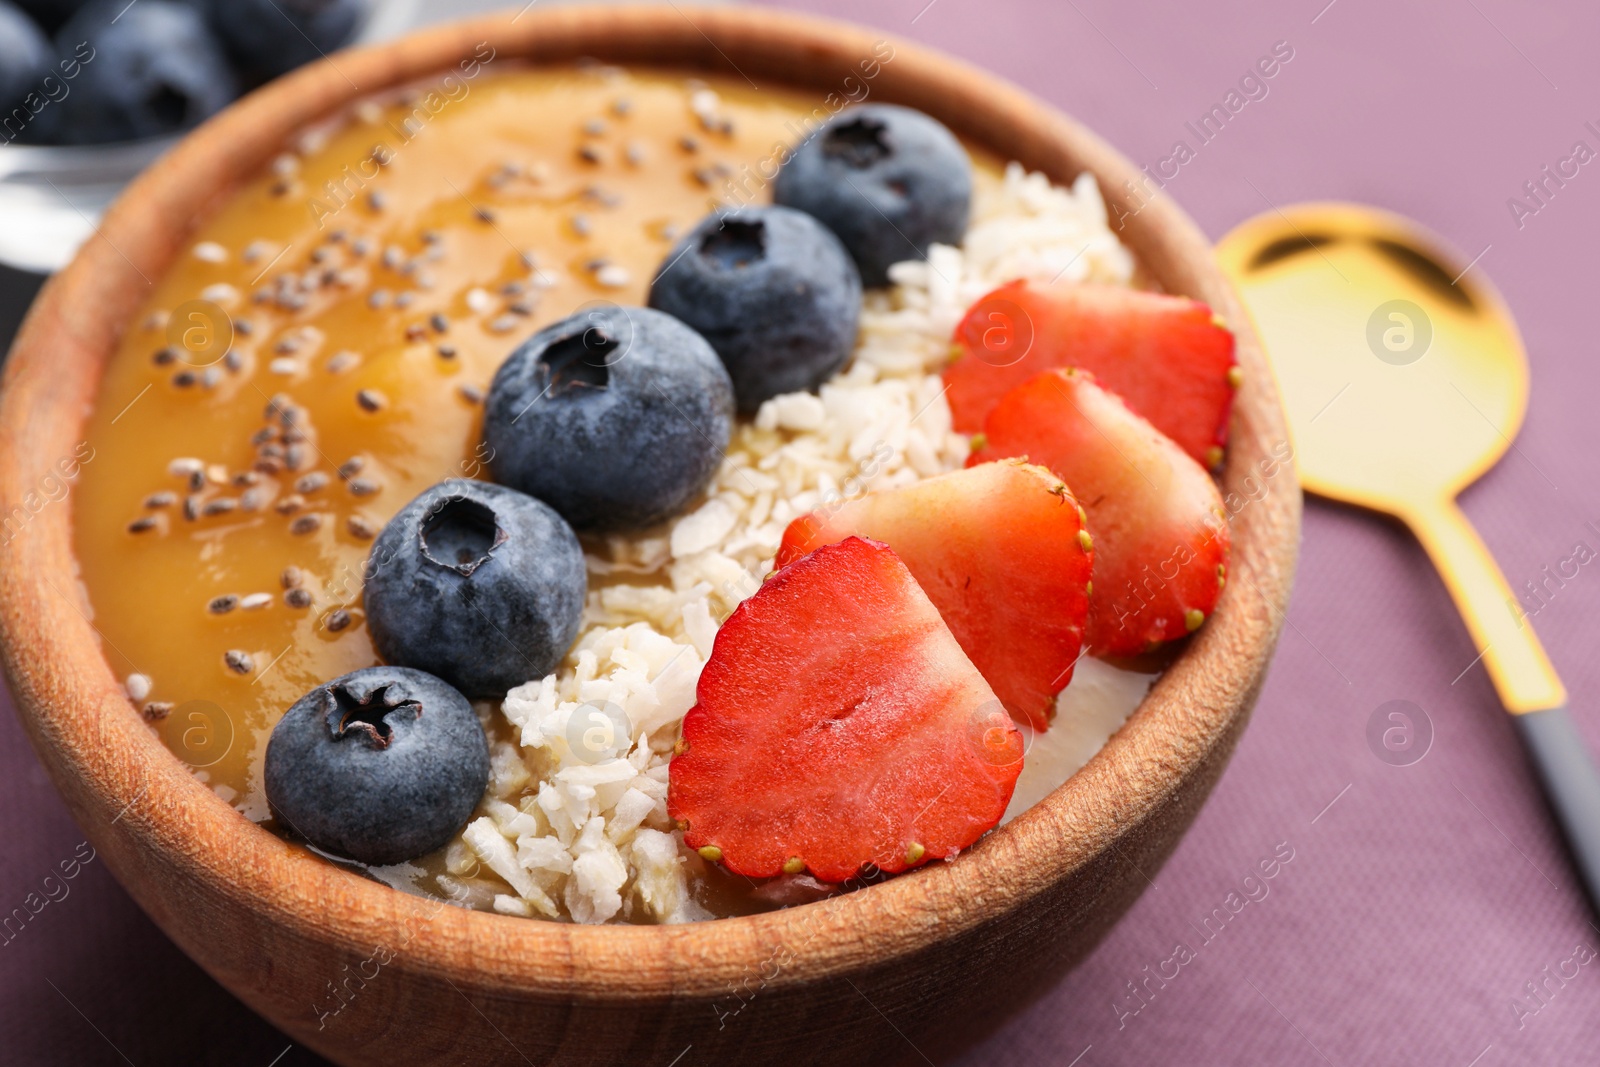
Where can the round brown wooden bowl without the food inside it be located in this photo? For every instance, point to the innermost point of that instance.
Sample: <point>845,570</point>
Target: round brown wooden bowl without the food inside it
<point>889,973</point>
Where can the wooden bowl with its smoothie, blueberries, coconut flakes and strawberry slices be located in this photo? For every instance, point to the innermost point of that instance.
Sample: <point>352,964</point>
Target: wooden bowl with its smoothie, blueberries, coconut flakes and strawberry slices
<point>596,527</point>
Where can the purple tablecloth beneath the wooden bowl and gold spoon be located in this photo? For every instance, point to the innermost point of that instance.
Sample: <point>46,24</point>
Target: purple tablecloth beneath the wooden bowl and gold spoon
<point>1420,905</point>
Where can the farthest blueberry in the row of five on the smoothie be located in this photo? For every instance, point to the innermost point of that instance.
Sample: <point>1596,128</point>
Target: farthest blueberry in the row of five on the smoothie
<point>889,182</point>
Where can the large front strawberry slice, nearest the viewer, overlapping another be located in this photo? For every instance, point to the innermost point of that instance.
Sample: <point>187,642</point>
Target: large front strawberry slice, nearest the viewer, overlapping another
<point>839,724</point>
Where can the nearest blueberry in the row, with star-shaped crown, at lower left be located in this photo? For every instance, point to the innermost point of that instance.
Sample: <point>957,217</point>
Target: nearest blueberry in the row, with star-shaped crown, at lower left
<point>380,765</point>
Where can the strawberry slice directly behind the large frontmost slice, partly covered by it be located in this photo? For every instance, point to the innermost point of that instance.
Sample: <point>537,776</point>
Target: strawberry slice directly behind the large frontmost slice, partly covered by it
<point>999,549</point>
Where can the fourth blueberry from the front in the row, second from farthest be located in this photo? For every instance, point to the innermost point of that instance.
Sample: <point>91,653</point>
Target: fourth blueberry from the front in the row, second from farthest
<point>772,290</point>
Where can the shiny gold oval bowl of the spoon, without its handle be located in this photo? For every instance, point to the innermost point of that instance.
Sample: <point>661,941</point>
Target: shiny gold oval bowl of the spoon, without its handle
<point>1404,382</point>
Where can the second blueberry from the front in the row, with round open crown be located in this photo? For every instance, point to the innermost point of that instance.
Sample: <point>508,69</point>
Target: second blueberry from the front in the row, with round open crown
<point>478,585</point>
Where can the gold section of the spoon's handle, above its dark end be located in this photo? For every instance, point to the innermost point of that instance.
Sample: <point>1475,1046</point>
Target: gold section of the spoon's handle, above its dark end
<point>1510,649</point>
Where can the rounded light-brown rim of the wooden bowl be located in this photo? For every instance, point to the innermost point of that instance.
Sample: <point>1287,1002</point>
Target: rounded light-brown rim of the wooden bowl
<point>148,809</point>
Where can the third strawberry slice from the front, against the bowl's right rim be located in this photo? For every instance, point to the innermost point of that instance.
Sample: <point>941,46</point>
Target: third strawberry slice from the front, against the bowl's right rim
<point>1161,533</point>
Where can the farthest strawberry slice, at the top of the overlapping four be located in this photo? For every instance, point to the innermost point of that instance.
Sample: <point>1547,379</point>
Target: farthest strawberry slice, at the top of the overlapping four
<point>1166,356</point>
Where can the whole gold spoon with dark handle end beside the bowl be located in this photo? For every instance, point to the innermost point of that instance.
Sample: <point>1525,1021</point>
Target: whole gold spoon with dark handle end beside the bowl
<point>1406,380</point>
